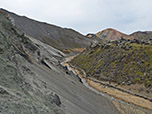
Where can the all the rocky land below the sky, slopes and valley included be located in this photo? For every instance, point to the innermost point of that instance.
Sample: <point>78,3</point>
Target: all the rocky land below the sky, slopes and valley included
<point>33,79</point>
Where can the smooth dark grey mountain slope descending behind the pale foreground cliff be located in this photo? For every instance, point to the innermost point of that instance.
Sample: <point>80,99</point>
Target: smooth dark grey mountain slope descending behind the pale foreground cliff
<point>61,38</point>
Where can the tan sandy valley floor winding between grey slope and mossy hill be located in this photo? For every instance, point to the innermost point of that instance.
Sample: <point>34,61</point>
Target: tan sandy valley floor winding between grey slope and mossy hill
<point>132,105</point>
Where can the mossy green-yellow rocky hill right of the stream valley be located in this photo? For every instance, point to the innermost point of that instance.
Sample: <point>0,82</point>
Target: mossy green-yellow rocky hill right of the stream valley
<point>122,61</point>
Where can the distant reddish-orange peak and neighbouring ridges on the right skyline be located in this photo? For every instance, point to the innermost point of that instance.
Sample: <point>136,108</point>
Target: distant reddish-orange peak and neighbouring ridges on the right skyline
<point>112,34</point>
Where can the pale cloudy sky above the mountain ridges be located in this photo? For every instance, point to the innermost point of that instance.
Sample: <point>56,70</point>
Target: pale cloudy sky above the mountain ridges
<point>87,16</point>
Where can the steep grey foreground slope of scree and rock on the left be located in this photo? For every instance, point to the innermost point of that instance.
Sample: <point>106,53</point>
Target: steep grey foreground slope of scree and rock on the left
<point>32,83</point>
